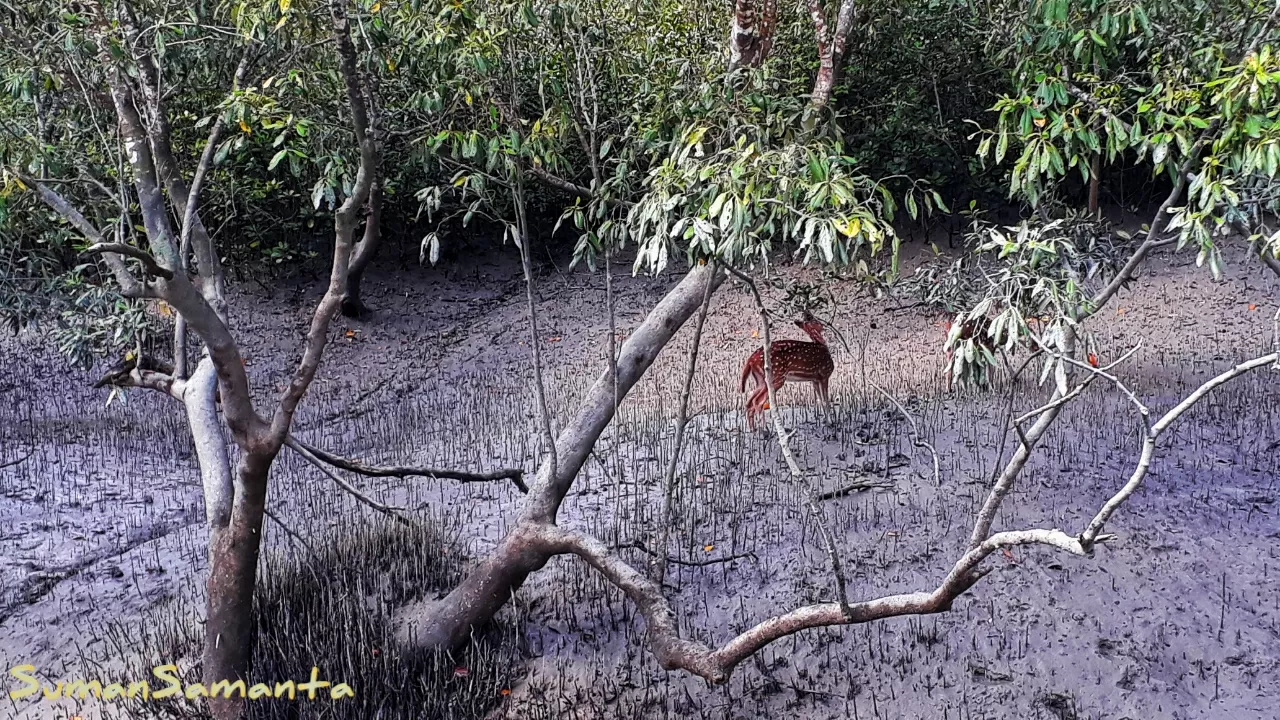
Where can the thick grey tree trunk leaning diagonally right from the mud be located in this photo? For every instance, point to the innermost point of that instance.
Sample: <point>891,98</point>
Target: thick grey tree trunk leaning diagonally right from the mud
<point>487,590</point>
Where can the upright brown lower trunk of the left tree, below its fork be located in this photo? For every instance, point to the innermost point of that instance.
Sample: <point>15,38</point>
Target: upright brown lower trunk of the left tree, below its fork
<point>234,550</point>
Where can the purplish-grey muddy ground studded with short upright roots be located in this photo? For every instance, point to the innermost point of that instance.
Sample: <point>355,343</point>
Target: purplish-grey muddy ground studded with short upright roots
<point>1178,618</point>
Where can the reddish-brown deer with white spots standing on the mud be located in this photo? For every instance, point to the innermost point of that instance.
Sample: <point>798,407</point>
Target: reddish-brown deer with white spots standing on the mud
<point>793,361</point>
